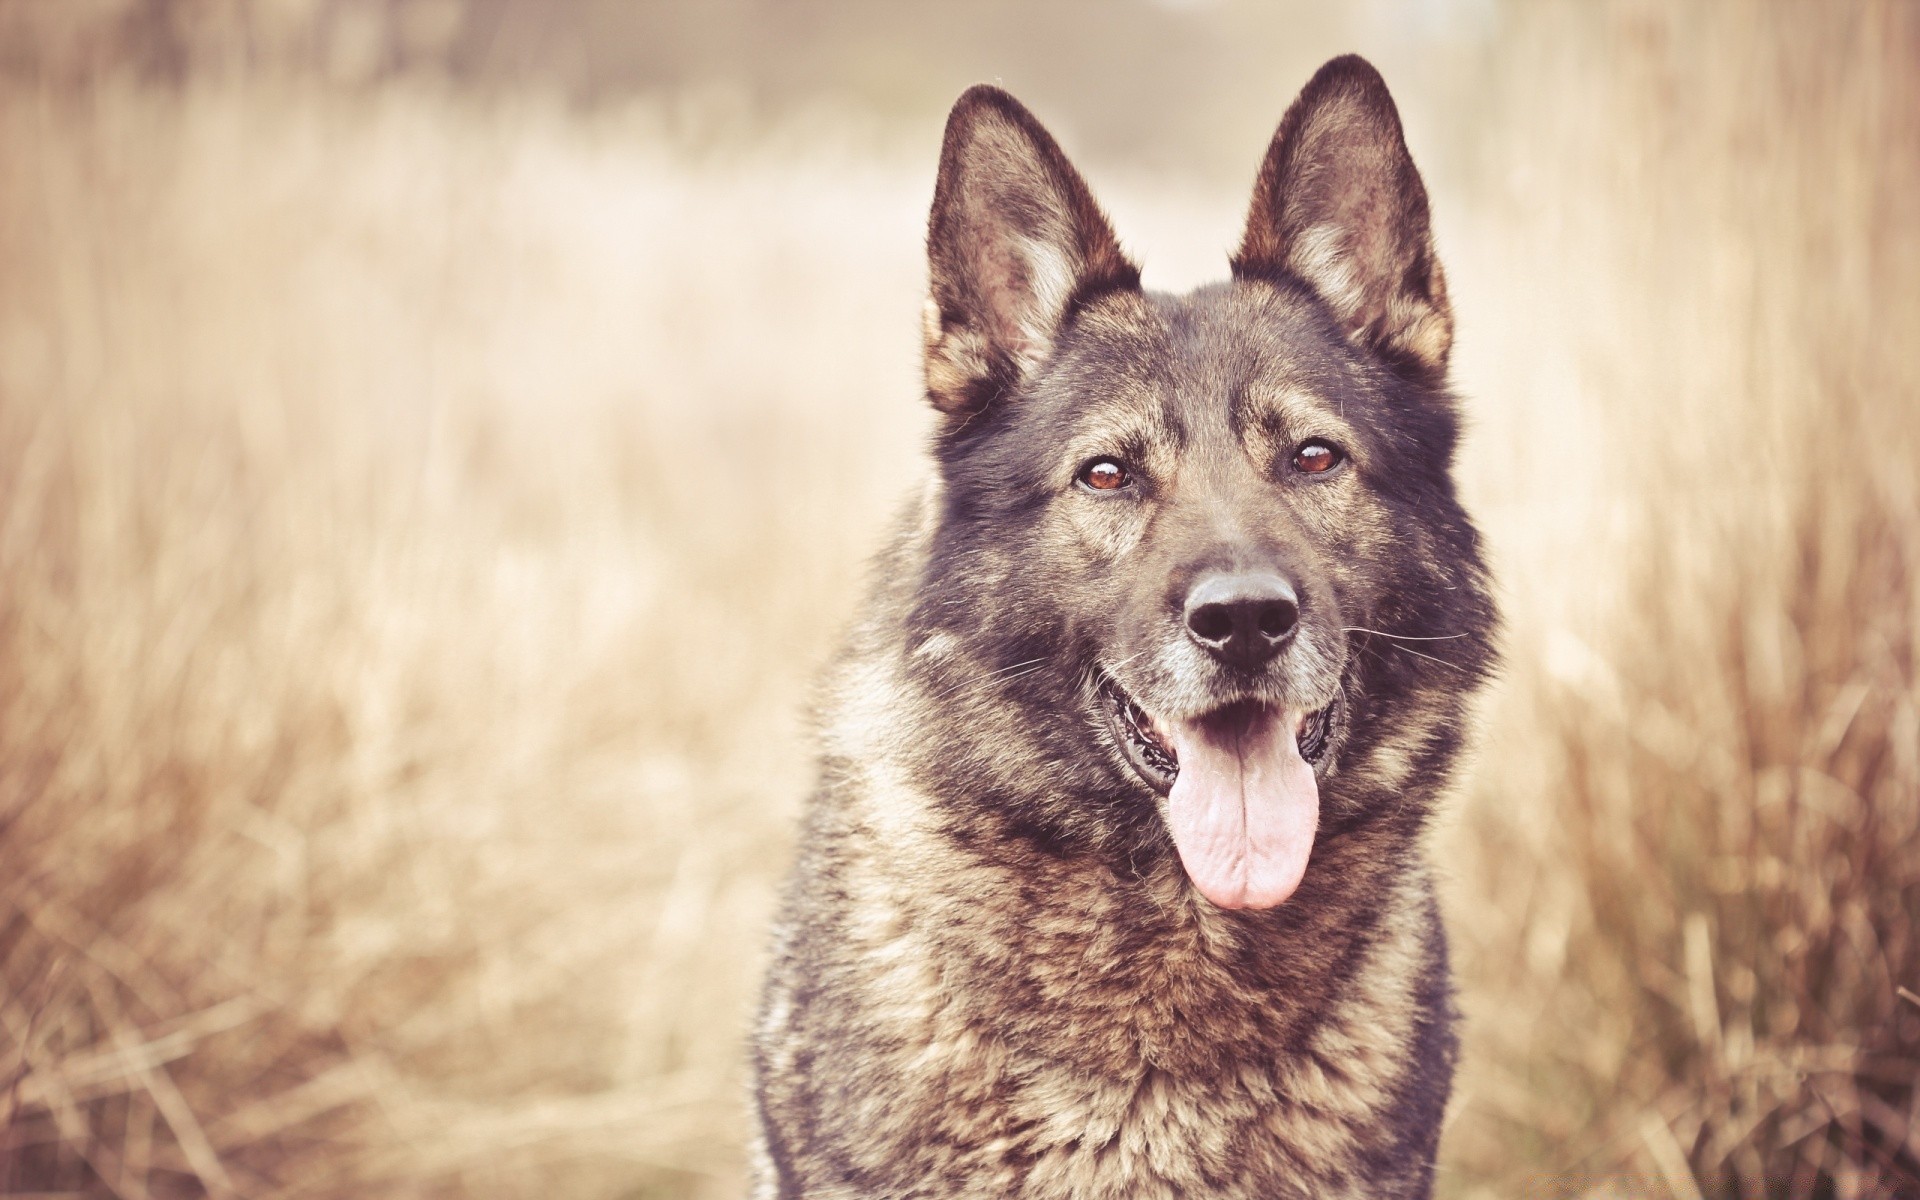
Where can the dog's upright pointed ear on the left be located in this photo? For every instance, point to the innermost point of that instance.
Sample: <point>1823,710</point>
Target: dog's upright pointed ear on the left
<point>1017,245</point>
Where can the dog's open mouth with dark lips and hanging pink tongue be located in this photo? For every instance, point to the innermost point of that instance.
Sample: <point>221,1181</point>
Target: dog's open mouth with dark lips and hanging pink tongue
<point>1243,798</point>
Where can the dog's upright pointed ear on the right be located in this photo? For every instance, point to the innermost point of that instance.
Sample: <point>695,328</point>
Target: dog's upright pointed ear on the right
<point>1341,208</point>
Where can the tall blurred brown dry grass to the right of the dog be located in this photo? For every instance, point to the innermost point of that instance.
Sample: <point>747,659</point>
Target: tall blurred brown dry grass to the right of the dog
<point>1691,861</point>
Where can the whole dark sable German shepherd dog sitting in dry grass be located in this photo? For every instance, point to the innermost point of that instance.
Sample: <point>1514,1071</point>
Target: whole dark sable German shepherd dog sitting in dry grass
<point>1115,880</point>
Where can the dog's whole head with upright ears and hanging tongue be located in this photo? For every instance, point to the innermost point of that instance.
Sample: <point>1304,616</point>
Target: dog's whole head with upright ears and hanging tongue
<point>1195,558</point>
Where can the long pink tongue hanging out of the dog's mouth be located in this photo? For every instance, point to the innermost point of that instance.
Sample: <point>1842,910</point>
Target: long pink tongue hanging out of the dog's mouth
<point>1243,807</point>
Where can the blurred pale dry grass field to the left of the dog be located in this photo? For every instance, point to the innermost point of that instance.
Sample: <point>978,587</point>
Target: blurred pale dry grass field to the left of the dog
<point>408,602</point>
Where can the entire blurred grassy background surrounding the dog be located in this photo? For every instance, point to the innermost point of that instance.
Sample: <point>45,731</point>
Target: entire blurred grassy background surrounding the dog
<point>443,439</point>
